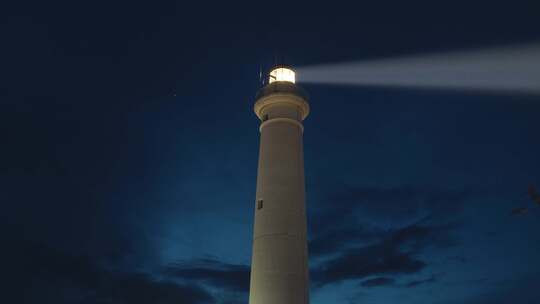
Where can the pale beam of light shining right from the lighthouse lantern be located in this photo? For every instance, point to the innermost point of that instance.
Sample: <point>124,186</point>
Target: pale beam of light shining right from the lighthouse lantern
<point>511,69</point>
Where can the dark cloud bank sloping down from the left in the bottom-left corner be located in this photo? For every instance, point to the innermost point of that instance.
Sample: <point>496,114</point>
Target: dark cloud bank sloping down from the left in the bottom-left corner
<point>41,274</point>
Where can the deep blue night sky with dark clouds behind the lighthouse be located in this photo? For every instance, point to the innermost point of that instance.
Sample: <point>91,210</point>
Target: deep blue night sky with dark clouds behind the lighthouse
<point>129,150</point>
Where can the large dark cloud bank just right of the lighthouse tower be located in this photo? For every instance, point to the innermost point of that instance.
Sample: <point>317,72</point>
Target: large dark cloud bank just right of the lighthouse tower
<point>348,244</point>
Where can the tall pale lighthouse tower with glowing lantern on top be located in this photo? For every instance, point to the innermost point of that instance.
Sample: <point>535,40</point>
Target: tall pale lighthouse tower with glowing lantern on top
<point>279,264</point>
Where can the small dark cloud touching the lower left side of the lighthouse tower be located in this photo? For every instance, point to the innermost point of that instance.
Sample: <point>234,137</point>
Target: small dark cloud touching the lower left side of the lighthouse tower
<point>218,274</point>
